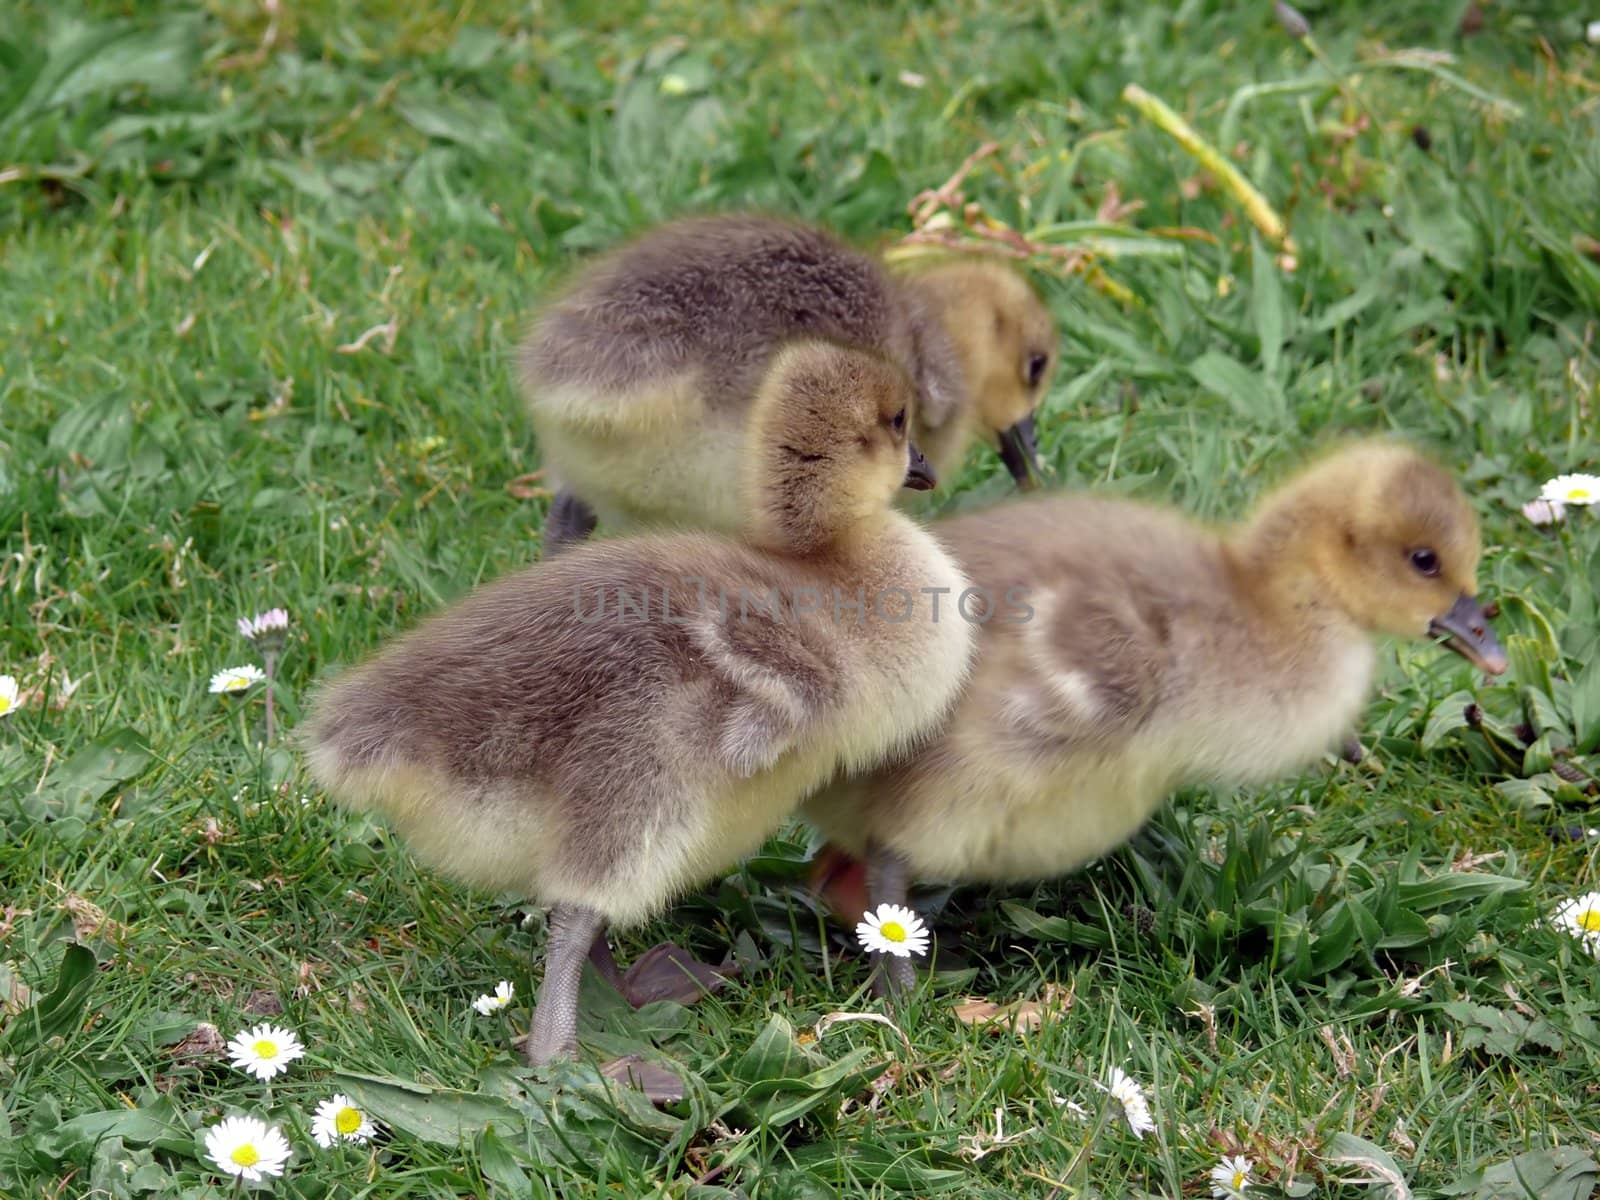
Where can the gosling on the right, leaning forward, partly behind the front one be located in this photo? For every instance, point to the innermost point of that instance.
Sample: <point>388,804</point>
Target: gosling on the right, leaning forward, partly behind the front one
<point>1132,650</point>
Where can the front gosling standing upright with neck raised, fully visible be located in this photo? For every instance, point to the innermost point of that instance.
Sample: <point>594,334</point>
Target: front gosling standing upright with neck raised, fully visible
<point>614,727</point>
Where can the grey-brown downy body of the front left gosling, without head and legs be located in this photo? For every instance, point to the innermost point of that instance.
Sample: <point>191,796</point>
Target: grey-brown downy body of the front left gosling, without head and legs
<point>631,695</point>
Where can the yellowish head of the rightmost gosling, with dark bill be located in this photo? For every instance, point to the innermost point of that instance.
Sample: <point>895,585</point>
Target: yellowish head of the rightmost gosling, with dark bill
<point>1391,542</point>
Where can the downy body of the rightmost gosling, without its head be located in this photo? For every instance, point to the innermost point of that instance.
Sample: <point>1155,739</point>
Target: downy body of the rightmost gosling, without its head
<point>1118,665</point>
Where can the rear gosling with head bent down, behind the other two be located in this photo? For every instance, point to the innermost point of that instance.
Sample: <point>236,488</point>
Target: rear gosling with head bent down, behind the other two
<point>641,374</point>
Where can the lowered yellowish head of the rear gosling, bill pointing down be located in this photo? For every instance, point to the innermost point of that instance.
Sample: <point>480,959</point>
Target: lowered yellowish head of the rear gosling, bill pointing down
<point>1007,348</point>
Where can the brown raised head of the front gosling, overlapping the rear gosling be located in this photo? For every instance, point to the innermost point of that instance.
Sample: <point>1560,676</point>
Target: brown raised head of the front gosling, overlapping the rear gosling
<point>830,444</point>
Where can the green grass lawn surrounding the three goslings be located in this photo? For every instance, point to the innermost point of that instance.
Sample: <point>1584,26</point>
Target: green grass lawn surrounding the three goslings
<point>196,220</point>
